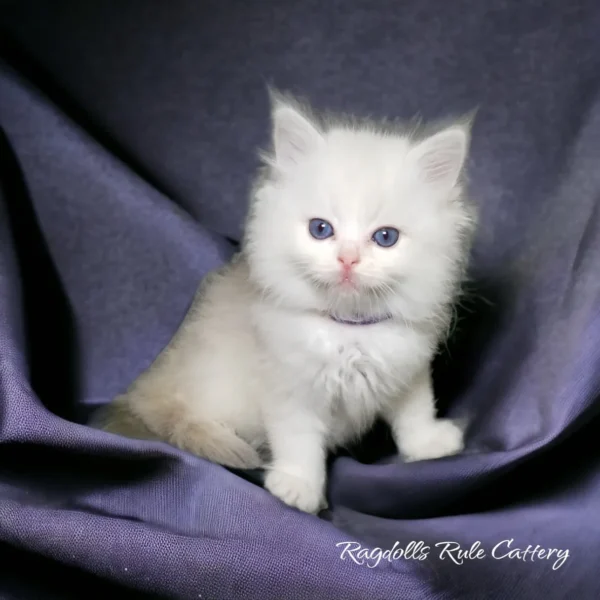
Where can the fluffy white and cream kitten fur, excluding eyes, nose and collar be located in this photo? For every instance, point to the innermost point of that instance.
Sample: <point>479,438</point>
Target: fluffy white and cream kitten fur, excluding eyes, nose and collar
<point>259,361</point>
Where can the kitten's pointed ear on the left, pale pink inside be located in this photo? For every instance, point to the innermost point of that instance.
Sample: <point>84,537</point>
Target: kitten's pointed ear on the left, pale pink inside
<point>294,136</point>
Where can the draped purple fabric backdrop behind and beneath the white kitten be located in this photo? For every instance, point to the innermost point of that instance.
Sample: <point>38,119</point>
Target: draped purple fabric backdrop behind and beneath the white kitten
<point>128,137</point>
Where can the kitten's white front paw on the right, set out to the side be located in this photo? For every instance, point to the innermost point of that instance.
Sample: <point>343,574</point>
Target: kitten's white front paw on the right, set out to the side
<point>434,440</point>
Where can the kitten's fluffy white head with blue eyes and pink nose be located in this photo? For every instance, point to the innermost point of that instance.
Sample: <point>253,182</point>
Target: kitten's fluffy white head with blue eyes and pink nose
<point>356,220</point>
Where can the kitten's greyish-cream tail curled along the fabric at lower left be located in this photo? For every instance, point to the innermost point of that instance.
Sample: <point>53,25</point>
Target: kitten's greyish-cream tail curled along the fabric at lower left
<point>209,440</point>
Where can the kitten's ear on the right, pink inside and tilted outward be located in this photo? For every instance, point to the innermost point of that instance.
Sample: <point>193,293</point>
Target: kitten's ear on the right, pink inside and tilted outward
<point>441,157</point>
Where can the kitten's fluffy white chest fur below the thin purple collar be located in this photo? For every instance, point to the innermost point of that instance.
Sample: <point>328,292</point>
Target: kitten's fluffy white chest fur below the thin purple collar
<point>346,373</point>
